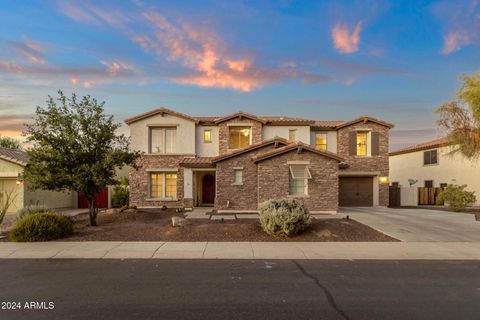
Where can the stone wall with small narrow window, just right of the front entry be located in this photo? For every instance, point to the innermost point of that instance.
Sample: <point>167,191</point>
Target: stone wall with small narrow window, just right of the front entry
<point>241,197</point>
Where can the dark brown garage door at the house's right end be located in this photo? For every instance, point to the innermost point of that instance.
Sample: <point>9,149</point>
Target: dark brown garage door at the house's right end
<point>355,191</point>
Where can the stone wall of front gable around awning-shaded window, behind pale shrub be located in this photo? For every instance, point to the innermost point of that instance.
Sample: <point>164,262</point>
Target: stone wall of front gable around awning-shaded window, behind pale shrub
<point>274,173</point>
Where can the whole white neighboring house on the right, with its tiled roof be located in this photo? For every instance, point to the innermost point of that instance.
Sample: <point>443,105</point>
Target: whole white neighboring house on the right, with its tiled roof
<point>432,164</point>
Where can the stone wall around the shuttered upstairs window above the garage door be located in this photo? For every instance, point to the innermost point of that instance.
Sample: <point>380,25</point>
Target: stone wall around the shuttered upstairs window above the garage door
<point>366,164</point>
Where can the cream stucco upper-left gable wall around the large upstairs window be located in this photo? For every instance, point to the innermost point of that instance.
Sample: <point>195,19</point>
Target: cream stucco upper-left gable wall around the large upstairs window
<point>139,132</point>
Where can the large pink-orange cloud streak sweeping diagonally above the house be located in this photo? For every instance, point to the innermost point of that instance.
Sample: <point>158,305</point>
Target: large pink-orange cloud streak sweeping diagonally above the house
<point>206,60</point>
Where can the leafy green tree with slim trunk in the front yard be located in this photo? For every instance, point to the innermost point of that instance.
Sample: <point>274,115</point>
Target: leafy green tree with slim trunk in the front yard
<point>76,148</point>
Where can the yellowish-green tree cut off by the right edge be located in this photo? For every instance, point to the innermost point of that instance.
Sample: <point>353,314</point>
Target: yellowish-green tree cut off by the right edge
<point>461,117</point>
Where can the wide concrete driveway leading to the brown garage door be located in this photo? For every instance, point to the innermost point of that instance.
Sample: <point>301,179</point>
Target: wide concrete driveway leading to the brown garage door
<point>419,224</point>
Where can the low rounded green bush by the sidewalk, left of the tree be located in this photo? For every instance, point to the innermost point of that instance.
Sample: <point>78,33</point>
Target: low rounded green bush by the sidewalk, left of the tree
<point>41,226</point>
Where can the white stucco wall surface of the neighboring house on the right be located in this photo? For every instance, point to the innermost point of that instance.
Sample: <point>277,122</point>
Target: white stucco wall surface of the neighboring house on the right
<point>451,169</point>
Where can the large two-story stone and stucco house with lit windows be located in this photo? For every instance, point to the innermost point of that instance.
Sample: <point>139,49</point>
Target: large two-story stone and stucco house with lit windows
<point>237,161</point>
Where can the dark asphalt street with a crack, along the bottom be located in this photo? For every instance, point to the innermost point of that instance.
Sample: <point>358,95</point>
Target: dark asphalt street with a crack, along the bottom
<point>239,289</point>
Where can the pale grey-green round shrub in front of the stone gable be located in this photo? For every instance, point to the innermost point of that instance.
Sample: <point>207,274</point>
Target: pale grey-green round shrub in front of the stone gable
<point>283,218</point>
